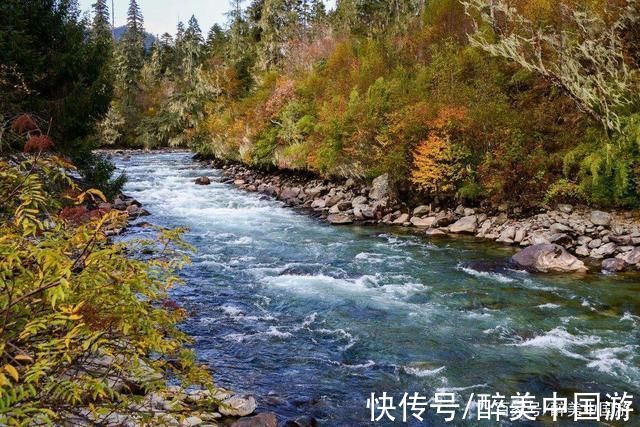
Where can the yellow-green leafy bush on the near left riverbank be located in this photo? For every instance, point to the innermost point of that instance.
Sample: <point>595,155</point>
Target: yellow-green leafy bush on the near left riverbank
<point>70,298</point>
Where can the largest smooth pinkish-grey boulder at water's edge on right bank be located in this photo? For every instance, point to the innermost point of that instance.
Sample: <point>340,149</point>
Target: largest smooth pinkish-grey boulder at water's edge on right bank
<point>546,258</point>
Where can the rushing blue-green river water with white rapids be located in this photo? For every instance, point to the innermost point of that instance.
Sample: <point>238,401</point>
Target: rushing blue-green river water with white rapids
<point>313,318</point>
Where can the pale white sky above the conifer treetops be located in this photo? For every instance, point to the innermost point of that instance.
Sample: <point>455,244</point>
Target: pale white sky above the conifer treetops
<point>161,16</point>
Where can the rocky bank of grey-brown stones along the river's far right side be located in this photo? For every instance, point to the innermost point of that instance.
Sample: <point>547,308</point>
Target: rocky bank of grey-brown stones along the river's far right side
<point>564,238</point>
